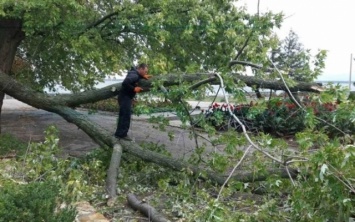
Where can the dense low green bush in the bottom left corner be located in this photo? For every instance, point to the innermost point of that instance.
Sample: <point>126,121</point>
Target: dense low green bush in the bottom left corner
<point>33,202</point>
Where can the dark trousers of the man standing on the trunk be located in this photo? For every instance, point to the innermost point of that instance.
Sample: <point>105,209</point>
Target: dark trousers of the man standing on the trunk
<point>124,116</point>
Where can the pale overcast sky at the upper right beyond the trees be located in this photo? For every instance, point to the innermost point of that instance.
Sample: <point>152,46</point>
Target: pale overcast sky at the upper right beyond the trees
<point>319,24</point>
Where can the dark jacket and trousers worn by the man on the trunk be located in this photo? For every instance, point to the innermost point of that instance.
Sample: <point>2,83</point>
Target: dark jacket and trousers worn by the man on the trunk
<point>125,98</point>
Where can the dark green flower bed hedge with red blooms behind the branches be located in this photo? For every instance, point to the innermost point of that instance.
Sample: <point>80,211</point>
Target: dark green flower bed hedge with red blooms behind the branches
<point>282,117</point>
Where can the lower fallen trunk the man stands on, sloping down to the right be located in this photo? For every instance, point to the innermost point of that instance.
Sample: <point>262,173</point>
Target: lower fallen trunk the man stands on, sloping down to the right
<point>105,138</point>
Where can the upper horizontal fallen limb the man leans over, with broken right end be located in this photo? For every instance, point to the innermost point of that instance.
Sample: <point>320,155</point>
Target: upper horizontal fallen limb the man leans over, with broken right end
<point>44,101</point>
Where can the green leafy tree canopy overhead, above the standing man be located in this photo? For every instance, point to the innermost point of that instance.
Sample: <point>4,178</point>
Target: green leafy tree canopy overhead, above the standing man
<point>73,43</point>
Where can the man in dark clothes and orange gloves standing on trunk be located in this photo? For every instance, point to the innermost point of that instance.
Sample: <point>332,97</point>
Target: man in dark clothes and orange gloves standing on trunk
<point>125,98</point>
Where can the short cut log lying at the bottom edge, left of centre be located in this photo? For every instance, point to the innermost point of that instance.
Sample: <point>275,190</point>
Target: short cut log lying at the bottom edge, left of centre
<point>145,209</point>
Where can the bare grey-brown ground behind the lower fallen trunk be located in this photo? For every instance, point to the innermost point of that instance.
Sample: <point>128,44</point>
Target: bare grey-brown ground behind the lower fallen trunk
<point>29,124</point>
